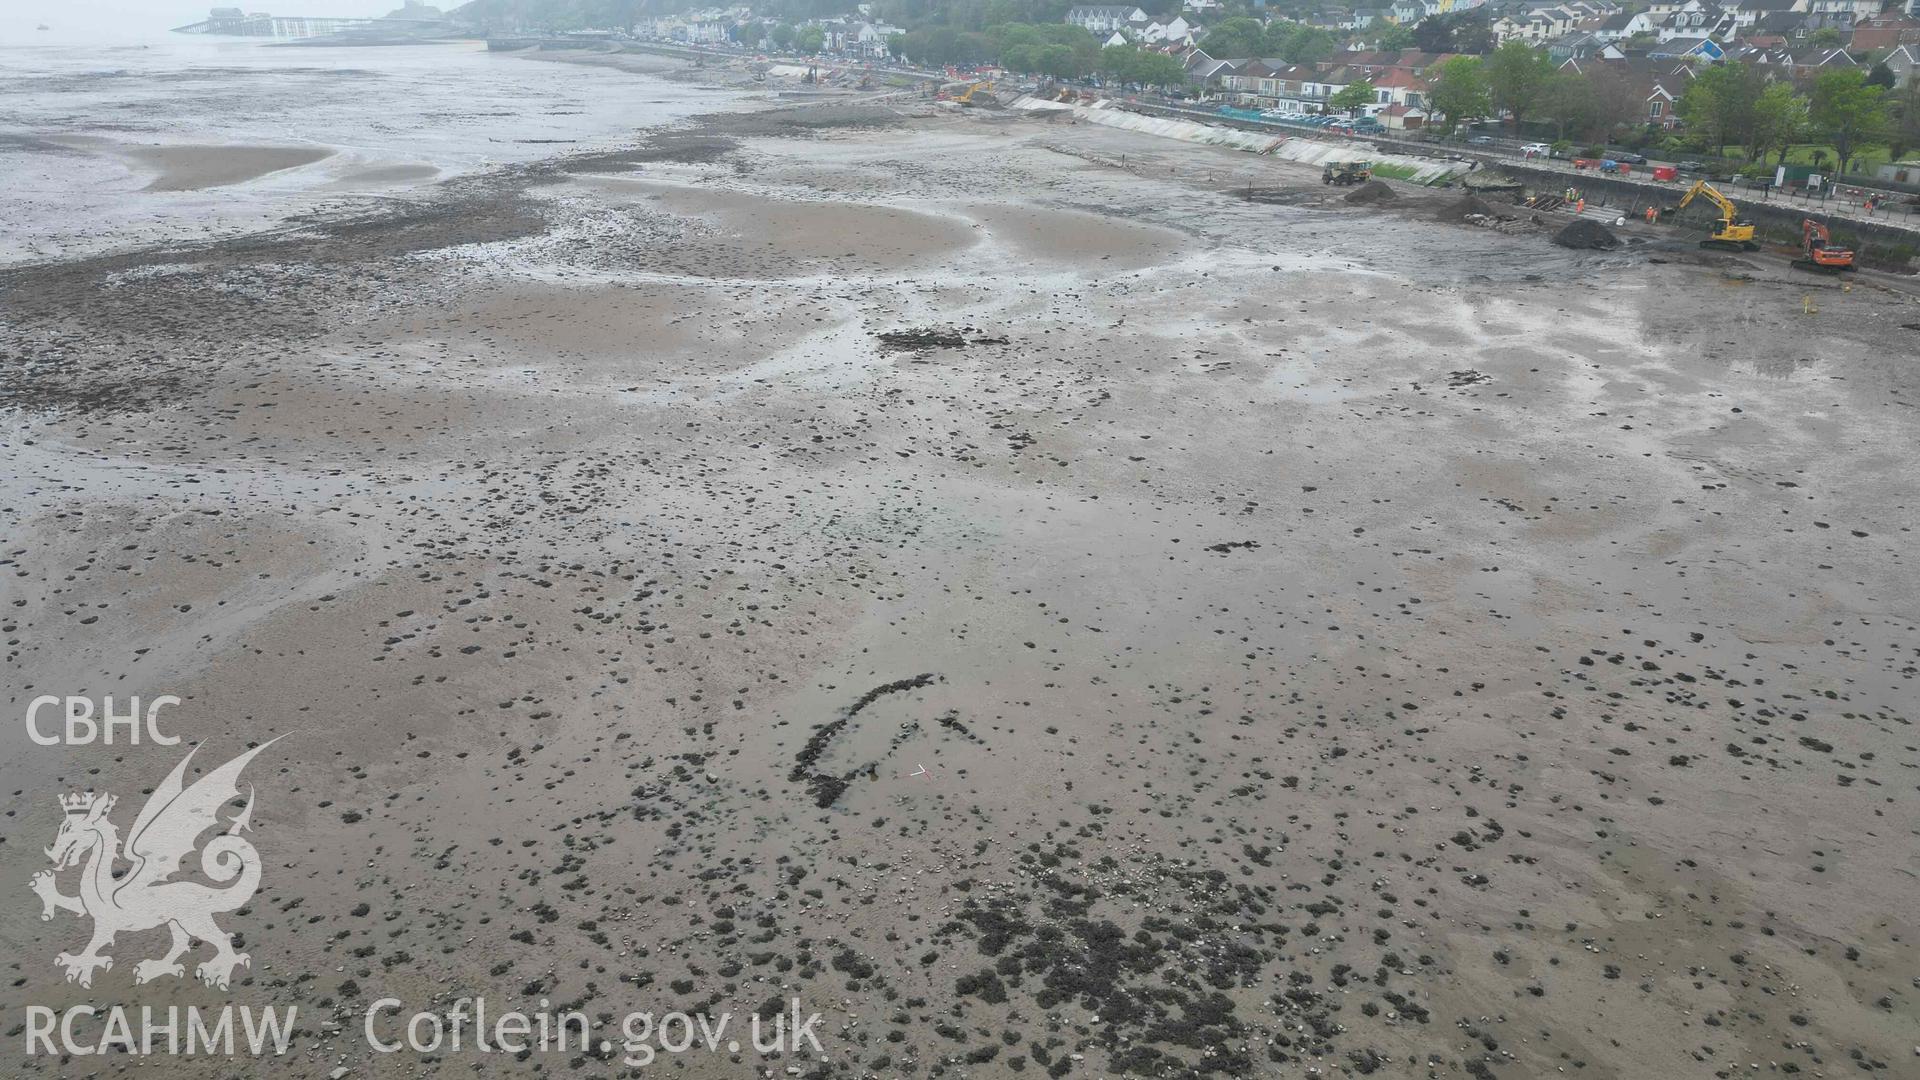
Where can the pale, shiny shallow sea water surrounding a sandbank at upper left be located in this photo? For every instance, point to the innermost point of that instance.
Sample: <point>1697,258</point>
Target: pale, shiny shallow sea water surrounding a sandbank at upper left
<point>74,118</point>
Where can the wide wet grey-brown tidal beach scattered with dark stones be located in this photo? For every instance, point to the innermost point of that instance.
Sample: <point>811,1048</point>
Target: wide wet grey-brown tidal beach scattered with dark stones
<point>1047,618</point>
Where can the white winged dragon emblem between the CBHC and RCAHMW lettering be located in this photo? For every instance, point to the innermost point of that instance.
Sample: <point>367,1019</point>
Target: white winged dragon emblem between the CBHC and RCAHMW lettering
<point>162,837</point>
